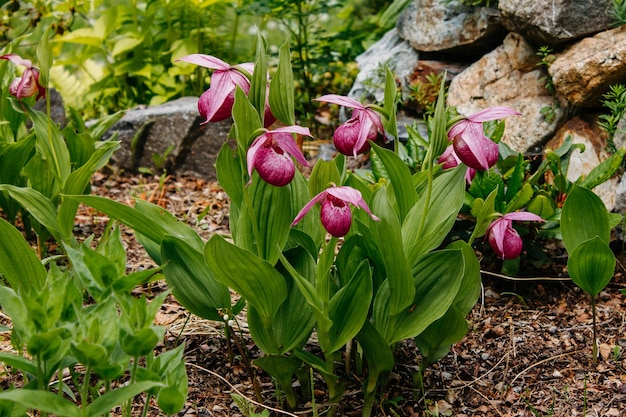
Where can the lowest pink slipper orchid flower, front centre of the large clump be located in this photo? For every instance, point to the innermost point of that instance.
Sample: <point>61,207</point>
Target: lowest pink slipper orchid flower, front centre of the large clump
<point>335,214</point>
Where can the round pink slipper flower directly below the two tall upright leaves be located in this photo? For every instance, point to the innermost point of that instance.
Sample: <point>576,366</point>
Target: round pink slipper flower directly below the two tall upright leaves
<point>270,154</point>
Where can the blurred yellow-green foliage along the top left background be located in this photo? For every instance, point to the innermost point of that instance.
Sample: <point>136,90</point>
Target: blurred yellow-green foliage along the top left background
<point>112,54</point>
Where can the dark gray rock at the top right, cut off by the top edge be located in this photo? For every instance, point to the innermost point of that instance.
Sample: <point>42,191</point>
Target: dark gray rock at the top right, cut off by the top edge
<point>555,22</point>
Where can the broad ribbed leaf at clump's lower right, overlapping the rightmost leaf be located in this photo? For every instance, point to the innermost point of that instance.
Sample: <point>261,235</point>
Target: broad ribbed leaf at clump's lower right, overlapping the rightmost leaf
<point>437,278</point>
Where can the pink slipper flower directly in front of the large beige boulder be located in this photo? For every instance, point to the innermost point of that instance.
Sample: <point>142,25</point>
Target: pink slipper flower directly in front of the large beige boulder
<point>471,145</point>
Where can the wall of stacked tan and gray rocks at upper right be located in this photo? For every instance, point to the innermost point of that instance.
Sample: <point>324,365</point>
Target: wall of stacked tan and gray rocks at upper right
<point>588,55</point>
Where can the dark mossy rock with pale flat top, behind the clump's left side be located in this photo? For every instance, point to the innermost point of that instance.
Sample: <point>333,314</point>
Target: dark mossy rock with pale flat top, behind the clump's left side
<point>169,137</point>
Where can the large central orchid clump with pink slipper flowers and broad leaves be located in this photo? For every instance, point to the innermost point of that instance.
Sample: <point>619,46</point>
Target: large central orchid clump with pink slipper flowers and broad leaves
<point>353,260</point>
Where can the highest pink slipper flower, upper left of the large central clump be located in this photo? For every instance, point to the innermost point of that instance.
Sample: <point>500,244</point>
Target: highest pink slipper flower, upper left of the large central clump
<point>216,103</point>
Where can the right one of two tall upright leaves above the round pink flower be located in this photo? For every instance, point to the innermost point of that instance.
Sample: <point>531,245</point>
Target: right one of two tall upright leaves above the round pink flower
<point>281,88</point>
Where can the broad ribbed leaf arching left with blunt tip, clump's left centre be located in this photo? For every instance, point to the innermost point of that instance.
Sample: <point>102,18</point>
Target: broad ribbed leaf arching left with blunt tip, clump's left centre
<point>255,279</point>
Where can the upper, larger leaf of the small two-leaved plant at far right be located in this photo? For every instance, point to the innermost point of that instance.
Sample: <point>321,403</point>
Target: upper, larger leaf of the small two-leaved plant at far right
<point>583,217</point>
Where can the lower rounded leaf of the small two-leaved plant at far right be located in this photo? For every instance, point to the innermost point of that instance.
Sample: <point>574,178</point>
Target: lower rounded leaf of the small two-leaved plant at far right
<point>591,265</point>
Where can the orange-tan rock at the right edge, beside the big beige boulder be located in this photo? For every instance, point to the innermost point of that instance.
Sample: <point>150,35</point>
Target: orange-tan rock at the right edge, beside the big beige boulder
<point>583,72</point>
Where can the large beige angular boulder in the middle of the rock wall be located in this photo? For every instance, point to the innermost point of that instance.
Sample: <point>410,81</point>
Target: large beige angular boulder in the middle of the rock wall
<point>509,76</point>
